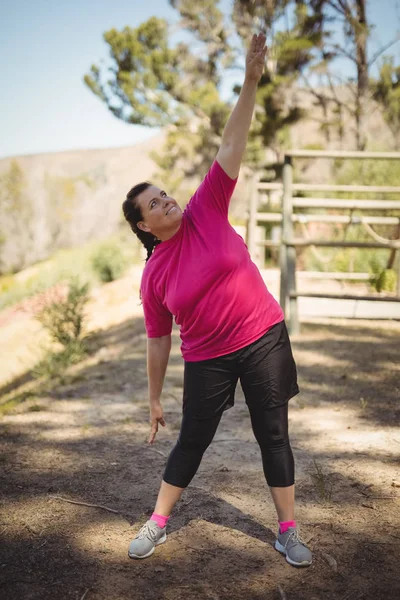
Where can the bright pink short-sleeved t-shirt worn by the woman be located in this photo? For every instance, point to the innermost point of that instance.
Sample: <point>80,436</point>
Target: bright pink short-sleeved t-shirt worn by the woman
<point>204,277</point>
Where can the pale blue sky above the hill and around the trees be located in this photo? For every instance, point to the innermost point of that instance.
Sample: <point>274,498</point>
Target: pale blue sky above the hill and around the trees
<point>47,47</point>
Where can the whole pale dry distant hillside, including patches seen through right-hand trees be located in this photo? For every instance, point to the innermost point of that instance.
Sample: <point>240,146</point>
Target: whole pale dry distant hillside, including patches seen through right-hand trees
<point>64,199</point>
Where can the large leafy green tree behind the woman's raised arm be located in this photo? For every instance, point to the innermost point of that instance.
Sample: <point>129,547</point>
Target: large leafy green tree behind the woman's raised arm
<point>151,83</point>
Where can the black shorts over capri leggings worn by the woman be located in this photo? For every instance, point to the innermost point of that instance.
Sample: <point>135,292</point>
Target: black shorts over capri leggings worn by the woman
<point>268,376</point>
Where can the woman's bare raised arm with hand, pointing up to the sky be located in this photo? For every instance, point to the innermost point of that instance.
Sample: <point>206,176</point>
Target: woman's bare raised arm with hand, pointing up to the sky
<point>234,138</point>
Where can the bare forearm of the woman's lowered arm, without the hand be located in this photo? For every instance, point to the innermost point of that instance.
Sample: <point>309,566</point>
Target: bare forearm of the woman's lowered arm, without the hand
<point>158,350</point>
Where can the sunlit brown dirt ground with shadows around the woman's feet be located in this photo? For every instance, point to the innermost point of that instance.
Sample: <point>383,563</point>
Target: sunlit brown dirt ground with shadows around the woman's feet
<point>85,441</point>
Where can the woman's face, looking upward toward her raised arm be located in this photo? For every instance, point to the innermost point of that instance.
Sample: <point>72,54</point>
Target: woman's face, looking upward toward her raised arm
<point>161,214</point>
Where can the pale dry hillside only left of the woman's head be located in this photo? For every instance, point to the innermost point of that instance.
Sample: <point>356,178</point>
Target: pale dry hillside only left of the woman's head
<point>62,199</point>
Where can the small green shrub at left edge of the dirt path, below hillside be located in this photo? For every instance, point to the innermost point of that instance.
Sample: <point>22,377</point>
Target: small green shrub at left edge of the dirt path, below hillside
<point>63,318</point>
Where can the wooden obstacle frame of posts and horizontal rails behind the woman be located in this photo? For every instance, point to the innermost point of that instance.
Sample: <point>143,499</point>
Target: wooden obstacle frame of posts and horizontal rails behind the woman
<point>288,244</point>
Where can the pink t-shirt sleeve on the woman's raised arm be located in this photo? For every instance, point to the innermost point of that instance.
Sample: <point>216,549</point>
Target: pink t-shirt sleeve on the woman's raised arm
<point>214,192</point>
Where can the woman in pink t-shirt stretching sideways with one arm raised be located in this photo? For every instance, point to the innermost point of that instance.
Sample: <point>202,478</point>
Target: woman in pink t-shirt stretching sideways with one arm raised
<point>231,328</point>
